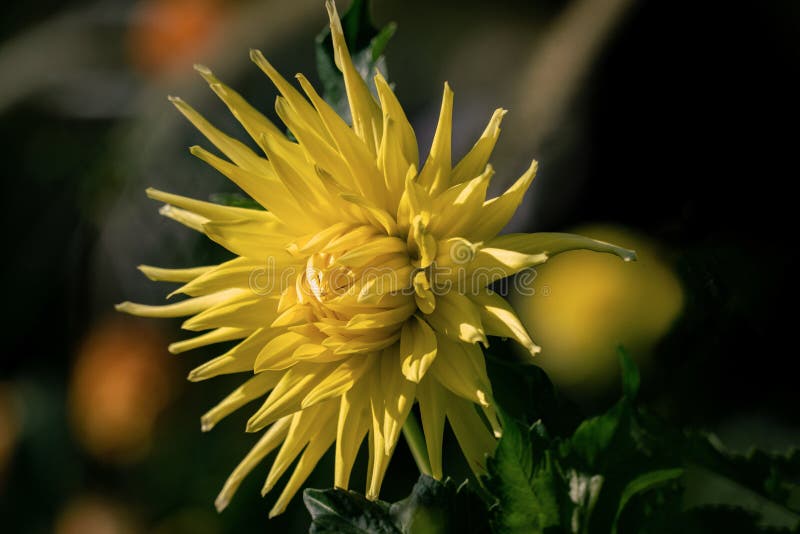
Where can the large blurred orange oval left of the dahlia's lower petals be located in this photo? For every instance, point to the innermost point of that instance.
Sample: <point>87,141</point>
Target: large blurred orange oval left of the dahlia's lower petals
<point>120,383</point>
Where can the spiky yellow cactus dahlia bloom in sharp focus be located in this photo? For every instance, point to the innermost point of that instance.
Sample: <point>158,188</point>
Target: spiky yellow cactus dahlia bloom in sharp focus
<point>361,289</point>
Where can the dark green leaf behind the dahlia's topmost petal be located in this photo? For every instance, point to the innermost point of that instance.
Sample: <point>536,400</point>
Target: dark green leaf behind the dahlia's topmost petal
<point>366,44</point>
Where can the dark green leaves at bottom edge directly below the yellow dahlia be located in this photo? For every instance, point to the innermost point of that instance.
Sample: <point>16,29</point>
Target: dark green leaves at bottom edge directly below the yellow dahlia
<point>433,507</point>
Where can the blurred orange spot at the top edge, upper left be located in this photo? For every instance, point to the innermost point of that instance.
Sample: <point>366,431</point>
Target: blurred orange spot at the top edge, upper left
<point>169,35</point>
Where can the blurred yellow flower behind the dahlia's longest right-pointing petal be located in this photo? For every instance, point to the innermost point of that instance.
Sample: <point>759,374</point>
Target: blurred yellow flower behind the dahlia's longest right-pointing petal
<point>585,305</point>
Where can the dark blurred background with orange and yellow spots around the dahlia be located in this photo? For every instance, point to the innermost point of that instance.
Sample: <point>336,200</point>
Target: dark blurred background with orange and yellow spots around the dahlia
<point>666,126</point>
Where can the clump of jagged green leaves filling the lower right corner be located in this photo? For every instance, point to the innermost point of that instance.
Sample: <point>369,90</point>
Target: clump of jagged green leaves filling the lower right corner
<point>619,471</point>
